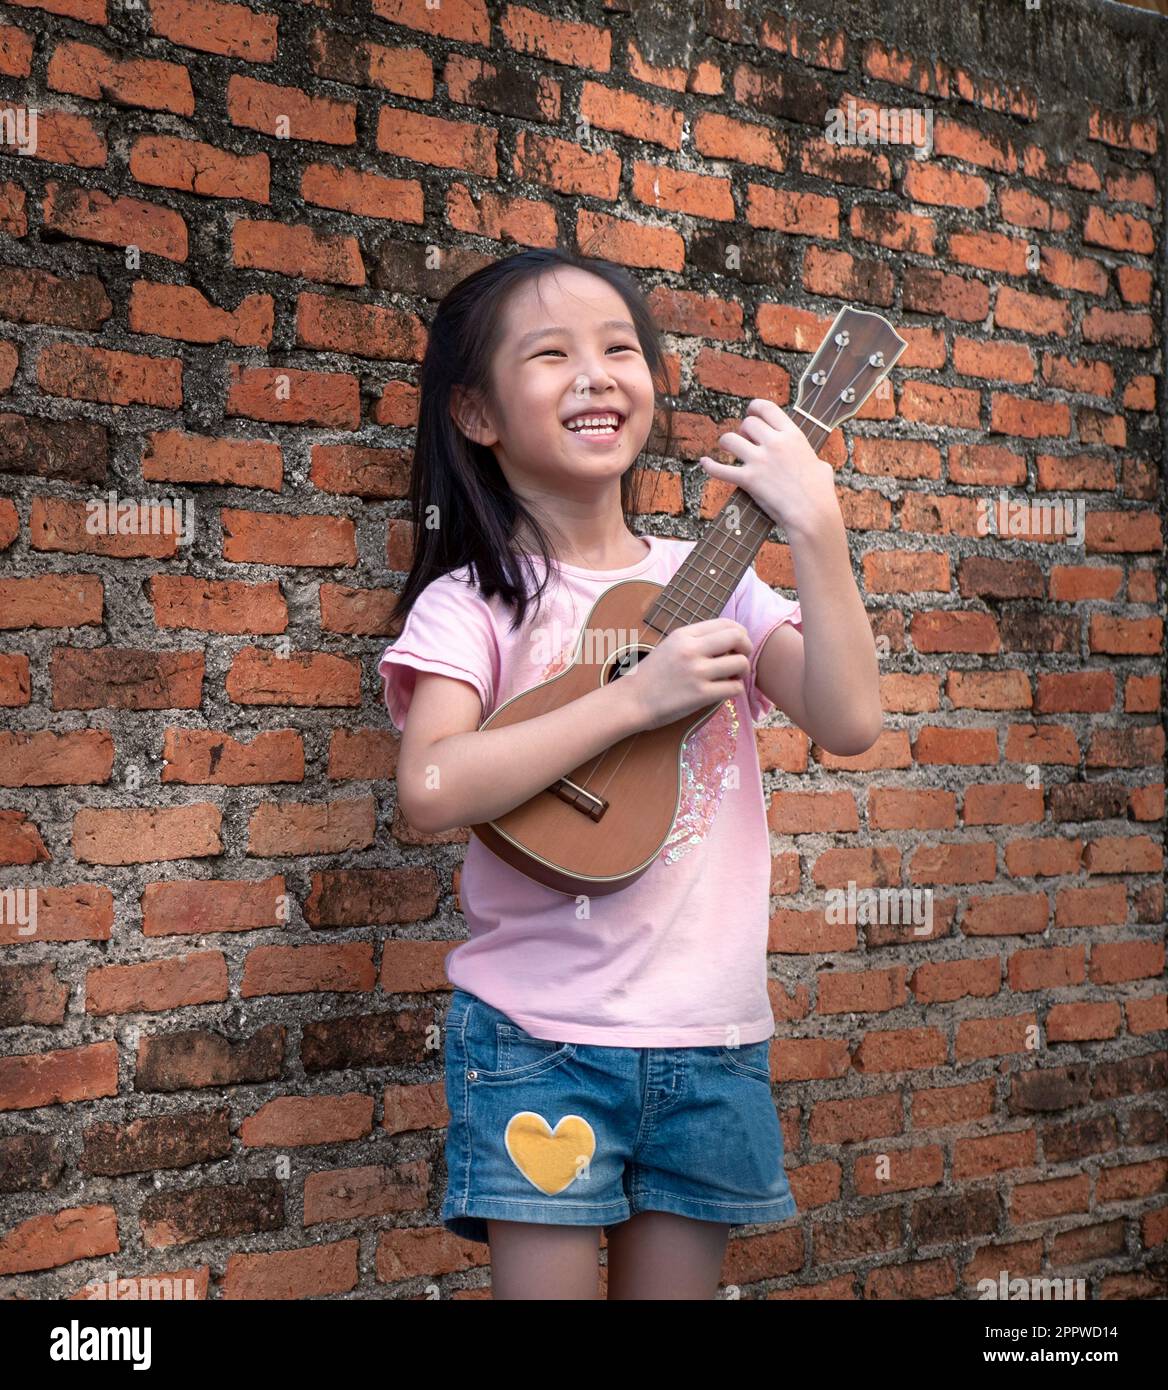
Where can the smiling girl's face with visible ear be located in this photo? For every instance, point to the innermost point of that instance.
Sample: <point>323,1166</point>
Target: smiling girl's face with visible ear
<point>568,352</point>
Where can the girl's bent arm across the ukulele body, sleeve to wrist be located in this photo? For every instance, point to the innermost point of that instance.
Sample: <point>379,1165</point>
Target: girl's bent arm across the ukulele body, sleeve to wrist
<point>450,774</point>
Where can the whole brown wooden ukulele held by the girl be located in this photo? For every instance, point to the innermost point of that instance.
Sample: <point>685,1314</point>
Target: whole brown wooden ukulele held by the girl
<point>597,829</point>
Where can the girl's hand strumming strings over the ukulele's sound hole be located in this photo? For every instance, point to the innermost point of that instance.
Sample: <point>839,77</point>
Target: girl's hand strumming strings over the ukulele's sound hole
<point>690,669</point>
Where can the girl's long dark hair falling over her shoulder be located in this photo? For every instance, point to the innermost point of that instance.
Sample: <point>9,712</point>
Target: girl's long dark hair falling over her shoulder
<point>476,509</point>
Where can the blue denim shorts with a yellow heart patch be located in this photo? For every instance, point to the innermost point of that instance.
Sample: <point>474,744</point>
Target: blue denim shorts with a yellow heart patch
<point>581,1135</point>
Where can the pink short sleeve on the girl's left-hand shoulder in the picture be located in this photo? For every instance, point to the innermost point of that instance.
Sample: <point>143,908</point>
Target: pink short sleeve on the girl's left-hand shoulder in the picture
<point>448,632</point>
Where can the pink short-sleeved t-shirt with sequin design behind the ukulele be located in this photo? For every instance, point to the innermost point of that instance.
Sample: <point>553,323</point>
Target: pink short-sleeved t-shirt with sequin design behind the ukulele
<point>679,957</point>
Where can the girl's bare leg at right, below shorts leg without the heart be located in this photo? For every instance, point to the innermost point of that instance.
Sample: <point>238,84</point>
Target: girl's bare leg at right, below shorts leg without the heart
<point>664,1256</point>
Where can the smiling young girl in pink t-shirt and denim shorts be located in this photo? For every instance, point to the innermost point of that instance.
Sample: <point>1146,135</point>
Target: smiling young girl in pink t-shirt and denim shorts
<point>608,1058</point>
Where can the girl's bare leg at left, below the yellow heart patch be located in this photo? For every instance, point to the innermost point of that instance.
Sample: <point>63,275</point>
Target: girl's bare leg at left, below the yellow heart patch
<point>533,1261</point>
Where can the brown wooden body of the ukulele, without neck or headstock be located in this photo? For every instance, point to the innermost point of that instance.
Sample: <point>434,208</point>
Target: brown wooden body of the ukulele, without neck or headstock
<point>604,824</point>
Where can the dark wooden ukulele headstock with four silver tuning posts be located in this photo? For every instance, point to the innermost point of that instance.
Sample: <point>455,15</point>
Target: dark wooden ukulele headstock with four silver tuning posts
<point>854,358</point>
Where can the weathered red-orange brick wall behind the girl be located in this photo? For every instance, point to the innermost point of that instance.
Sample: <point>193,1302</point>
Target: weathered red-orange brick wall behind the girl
<point>219,262</point>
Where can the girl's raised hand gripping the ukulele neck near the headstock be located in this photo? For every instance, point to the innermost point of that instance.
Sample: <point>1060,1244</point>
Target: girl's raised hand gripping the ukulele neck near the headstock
<point>781,469</point>
